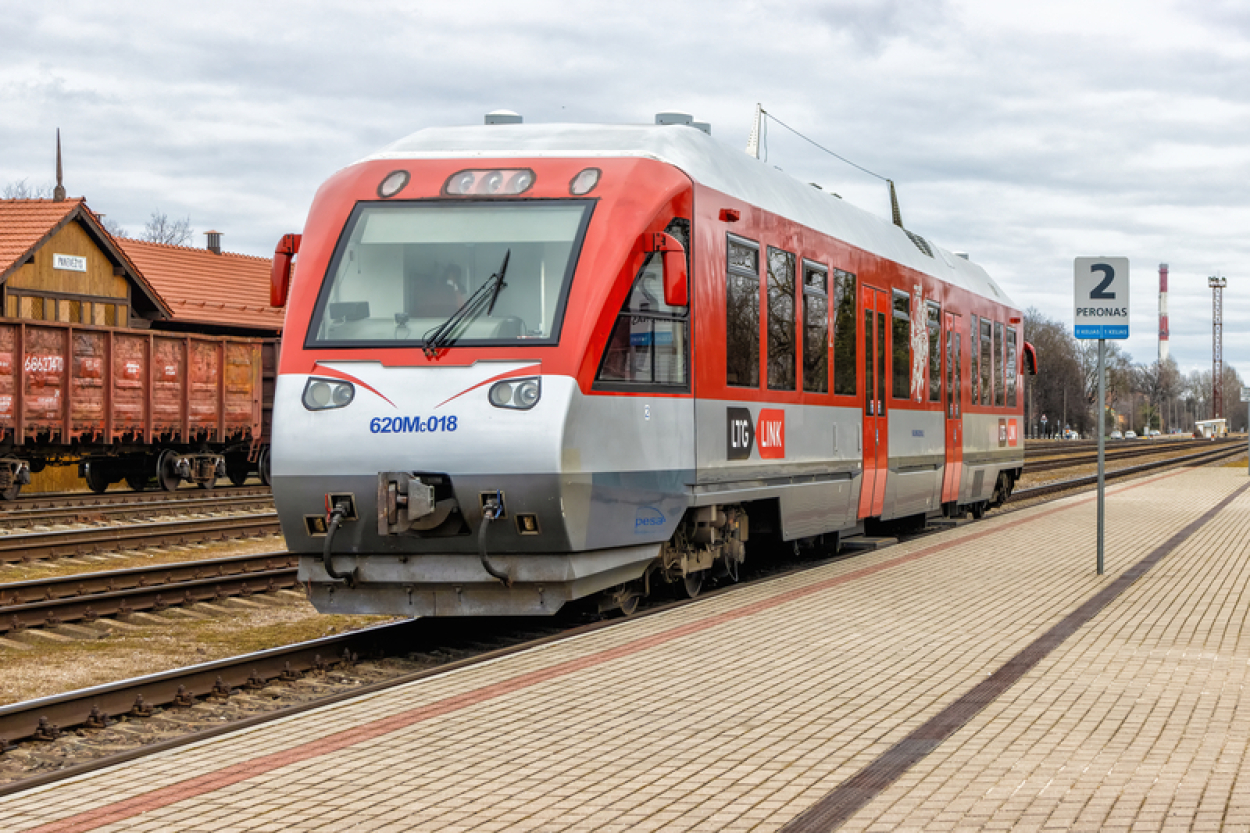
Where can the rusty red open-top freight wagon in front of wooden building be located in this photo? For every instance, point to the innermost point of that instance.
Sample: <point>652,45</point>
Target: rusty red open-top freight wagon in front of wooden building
<point>136,407</point>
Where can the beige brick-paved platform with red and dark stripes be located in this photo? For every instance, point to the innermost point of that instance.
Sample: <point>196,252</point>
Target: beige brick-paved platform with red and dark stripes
<point>982,679</point>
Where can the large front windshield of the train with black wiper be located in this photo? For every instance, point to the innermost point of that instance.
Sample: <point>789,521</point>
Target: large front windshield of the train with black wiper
<point>403,270</point>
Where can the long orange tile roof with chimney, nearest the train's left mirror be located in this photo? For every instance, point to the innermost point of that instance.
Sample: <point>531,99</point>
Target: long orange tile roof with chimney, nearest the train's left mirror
<point>207,288</point>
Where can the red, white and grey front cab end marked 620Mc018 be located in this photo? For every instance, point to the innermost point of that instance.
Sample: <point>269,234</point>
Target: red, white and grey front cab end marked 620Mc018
<point>434,452</point>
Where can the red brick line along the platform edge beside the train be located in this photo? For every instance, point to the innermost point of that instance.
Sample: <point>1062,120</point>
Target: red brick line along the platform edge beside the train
<point>236,774</point>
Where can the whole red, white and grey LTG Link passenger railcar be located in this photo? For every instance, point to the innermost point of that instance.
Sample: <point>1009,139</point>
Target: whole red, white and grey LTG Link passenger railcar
<point>528,365</point>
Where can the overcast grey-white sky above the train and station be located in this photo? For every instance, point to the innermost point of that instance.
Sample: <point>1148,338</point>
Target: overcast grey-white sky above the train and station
<point>1026,134</point>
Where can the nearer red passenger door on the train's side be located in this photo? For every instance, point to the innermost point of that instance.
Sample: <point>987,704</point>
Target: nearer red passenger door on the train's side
<point>876,306</point>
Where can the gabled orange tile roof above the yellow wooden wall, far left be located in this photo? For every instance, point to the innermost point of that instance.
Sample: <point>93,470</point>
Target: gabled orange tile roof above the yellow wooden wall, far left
<point>26,226</point>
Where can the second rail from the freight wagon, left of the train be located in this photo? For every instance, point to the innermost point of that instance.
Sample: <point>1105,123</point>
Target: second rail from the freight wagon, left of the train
<point>39,546</point>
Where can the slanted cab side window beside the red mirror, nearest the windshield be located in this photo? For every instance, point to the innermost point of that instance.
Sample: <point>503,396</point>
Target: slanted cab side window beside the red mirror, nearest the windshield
<point>648,345</point>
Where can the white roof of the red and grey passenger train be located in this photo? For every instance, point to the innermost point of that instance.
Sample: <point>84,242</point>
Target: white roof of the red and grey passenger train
<point>709,163</point>
